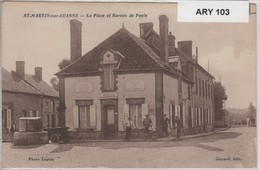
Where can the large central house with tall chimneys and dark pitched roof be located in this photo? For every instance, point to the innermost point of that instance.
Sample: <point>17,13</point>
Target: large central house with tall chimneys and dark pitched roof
<point>129,76</point>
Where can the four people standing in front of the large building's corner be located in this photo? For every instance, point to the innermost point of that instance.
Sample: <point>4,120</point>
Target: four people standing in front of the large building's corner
<point>147,125</point>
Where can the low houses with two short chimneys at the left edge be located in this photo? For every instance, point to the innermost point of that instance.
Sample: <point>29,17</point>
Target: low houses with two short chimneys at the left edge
<point>27,95</point>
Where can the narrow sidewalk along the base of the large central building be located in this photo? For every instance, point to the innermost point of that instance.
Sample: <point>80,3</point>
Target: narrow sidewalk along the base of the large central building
<point>142,140</point>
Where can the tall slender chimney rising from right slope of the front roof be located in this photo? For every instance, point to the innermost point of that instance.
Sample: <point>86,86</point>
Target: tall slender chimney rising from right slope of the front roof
<point>164,39</point>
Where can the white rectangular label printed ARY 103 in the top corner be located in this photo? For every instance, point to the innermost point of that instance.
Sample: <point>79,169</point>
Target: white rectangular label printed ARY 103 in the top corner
<point>213,11</point>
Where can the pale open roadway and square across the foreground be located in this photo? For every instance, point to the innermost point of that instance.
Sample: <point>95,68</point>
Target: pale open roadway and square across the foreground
<point>233,148</point>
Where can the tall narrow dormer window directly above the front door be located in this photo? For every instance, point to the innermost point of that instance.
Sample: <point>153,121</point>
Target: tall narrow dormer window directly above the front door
<point>109,80</point>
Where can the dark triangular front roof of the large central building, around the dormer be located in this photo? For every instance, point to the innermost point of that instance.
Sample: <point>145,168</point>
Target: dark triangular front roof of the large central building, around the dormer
<point>138,55</point>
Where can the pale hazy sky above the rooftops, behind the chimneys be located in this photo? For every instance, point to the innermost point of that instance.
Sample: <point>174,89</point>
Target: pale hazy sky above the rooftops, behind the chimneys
<point>227,50</point>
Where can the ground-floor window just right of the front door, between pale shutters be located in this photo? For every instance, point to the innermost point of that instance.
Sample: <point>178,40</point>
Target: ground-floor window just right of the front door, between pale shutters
<point>135,113</point>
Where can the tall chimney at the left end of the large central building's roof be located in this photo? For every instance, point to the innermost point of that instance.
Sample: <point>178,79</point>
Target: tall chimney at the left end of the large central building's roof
<point>75,39</point>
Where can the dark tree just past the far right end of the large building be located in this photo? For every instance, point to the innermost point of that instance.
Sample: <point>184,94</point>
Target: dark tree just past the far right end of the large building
<point>219,98</point>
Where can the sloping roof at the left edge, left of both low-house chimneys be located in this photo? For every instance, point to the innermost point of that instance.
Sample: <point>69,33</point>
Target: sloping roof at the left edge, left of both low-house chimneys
<point>12,83</point>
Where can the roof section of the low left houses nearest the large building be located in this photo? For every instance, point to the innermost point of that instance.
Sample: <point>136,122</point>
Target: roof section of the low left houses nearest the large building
<point>41,86</point>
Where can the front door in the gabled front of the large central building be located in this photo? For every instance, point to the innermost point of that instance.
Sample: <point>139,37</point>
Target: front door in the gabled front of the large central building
<point>110,128</point>
